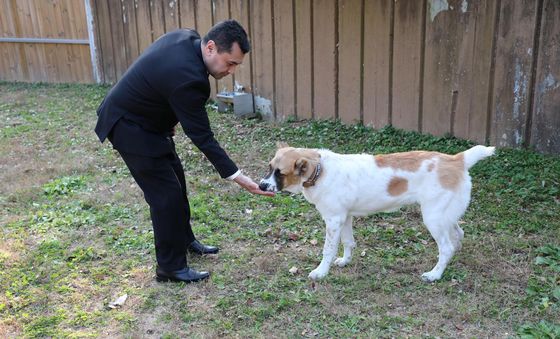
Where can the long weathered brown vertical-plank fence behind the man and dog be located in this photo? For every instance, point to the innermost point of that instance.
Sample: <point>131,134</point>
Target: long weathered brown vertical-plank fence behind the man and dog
<point>485,70</point>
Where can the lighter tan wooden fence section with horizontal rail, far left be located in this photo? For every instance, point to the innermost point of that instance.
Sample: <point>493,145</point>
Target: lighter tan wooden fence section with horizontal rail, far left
<point>44,41</point>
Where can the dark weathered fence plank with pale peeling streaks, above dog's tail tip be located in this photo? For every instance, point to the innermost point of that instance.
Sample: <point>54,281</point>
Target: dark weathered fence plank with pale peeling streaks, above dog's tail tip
<point>513,72</point>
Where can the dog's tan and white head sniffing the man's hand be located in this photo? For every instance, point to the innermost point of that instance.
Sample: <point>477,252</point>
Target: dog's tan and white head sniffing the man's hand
<point>290,168</point>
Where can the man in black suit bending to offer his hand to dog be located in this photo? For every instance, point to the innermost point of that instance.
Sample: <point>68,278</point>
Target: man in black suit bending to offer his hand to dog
<point>168,84</point>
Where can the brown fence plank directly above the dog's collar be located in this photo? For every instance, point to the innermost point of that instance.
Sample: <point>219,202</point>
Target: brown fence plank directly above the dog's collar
<point>324,60</point>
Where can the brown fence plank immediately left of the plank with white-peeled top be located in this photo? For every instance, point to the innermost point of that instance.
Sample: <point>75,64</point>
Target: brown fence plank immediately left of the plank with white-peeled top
<point>407,53</point>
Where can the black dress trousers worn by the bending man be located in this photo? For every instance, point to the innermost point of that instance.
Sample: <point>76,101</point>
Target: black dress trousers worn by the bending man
<point>162,180</point>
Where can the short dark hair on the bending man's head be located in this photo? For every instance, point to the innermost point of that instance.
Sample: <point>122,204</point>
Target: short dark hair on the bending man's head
<point>225,33</point>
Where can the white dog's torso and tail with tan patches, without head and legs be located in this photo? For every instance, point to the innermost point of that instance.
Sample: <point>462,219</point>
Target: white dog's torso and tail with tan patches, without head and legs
<point>362,184</point>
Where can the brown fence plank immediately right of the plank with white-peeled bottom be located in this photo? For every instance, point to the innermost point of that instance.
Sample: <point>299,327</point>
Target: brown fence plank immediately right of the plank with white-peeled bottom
<point>284,56</point>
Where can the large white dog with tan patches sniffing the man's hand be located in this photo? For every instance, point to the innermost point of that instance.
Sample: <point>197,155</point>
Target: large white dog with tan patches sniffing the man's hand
<point>342,186</point>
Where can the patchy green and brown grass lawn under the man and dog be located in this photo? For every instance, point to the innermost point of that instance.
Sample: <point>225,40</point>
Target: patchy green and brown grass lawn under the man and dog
<point>75,235</point>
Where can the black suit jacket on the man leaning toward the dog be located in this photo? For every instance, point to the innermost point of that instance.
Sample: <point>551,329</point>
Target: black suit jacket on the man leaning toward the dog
<point>167,84</point>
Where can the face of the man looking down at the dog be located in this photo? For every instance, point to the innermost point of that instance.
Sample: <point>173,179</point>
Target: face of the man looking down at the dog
<point>221,64</point>
